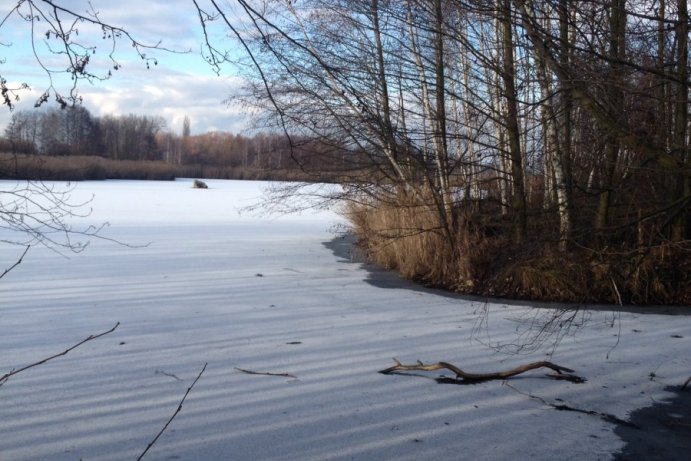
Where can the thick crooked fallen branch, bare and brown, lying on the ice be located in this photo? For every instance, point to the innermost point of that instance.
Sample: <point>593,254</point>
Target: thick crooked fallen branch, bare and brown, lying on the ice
<point>485,376</point>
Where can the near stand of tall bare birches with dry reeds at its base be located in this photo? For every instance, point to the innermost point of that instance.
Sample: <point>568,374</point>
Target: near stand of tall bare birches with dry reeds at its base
<point>531,149</point>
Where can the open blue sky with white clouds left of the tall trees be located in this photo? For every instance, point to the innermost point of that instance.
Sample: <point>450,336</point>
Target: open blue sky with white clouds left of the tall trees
<point>182,84</point>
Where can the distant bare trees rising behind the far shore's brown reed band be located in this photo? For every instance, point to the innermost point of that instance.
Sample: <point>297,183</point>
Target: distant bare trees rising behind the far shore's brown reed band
<point>73,131</point>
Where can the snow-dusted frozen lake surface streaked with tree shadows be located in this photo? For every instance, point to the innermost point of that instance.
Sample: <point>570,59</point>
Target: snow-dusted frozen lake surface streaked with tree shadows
<point>204,280</point>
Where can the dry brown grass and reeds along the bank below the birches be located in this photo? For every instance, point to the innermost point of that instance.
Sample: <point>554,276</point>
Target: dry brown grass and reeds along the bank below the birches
<point>406,237</point>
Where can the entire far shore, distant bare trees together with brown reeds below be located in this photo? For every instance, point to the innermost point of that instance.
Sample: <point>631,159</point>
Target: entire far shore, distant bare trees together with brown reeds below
<point>71,144</point>
